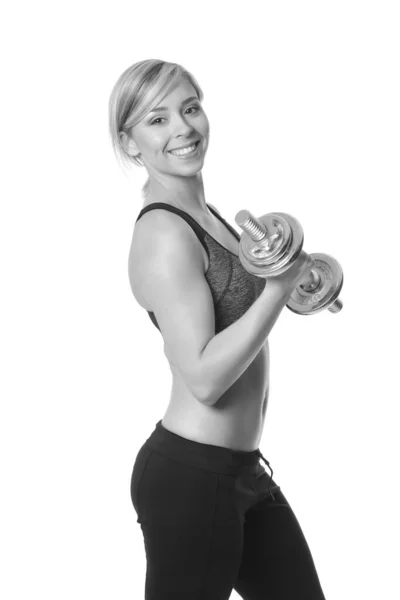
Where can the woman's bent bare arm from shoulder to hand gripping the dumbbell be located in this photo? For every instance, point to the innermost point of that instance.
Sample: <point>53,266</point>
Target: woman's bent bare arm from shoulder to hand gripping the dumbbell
<point>174,285</point>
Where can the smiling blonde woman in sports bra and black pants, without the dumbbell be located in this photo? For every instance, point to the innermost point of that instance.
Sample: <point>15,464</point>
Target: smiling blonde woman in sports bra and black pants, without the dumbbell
<point>211,517</point>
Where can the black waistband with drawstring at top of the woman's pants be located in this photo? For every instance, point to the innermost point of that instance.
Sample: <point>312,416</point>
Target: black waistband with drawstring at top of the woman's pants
<point>217,459</point>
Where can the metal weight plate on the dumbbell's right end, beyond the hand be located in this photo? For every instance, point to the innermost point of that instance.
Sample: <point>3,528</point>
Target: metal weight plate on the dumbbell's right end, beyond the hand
<point>309,303</point>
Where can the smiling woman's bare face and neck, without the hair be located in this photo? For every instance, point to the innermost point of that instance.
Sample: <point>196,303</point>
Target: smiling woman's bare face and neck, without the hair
<point>153,137</point>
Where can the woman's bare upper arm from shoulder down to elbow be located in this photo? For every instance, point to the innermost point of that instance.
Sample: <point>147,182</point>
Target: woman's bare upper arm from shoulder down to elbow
<point>173,284</point>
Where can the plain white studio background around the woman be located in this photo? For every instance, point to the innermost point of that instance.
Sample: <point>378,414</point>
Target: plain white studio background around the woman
<point>303,102</point>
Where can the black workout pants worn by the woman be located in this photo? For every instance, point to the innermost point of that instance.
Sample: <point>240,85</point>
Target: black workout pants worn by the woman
<point>213,520</point>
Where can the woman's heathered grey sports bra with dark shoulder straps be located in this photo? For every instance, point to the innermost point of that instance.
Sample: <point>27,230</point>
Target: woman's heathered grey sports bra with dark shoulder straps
<point>233,289</point>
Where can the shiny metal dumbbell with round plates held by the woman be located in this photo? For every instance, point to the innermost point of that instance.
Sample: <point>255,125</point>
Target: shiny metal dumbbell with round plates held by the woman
<point>270,244</point>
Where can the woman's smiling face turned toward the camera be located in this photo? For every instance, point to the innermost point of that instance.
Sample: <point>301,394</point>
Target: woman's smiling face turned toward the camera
<point>181,123</point>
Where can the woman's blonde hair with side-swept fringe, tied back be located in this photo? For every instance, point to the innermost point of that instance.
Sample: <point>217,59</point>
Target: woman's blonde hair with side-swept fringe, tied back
<point>136,92</point>
